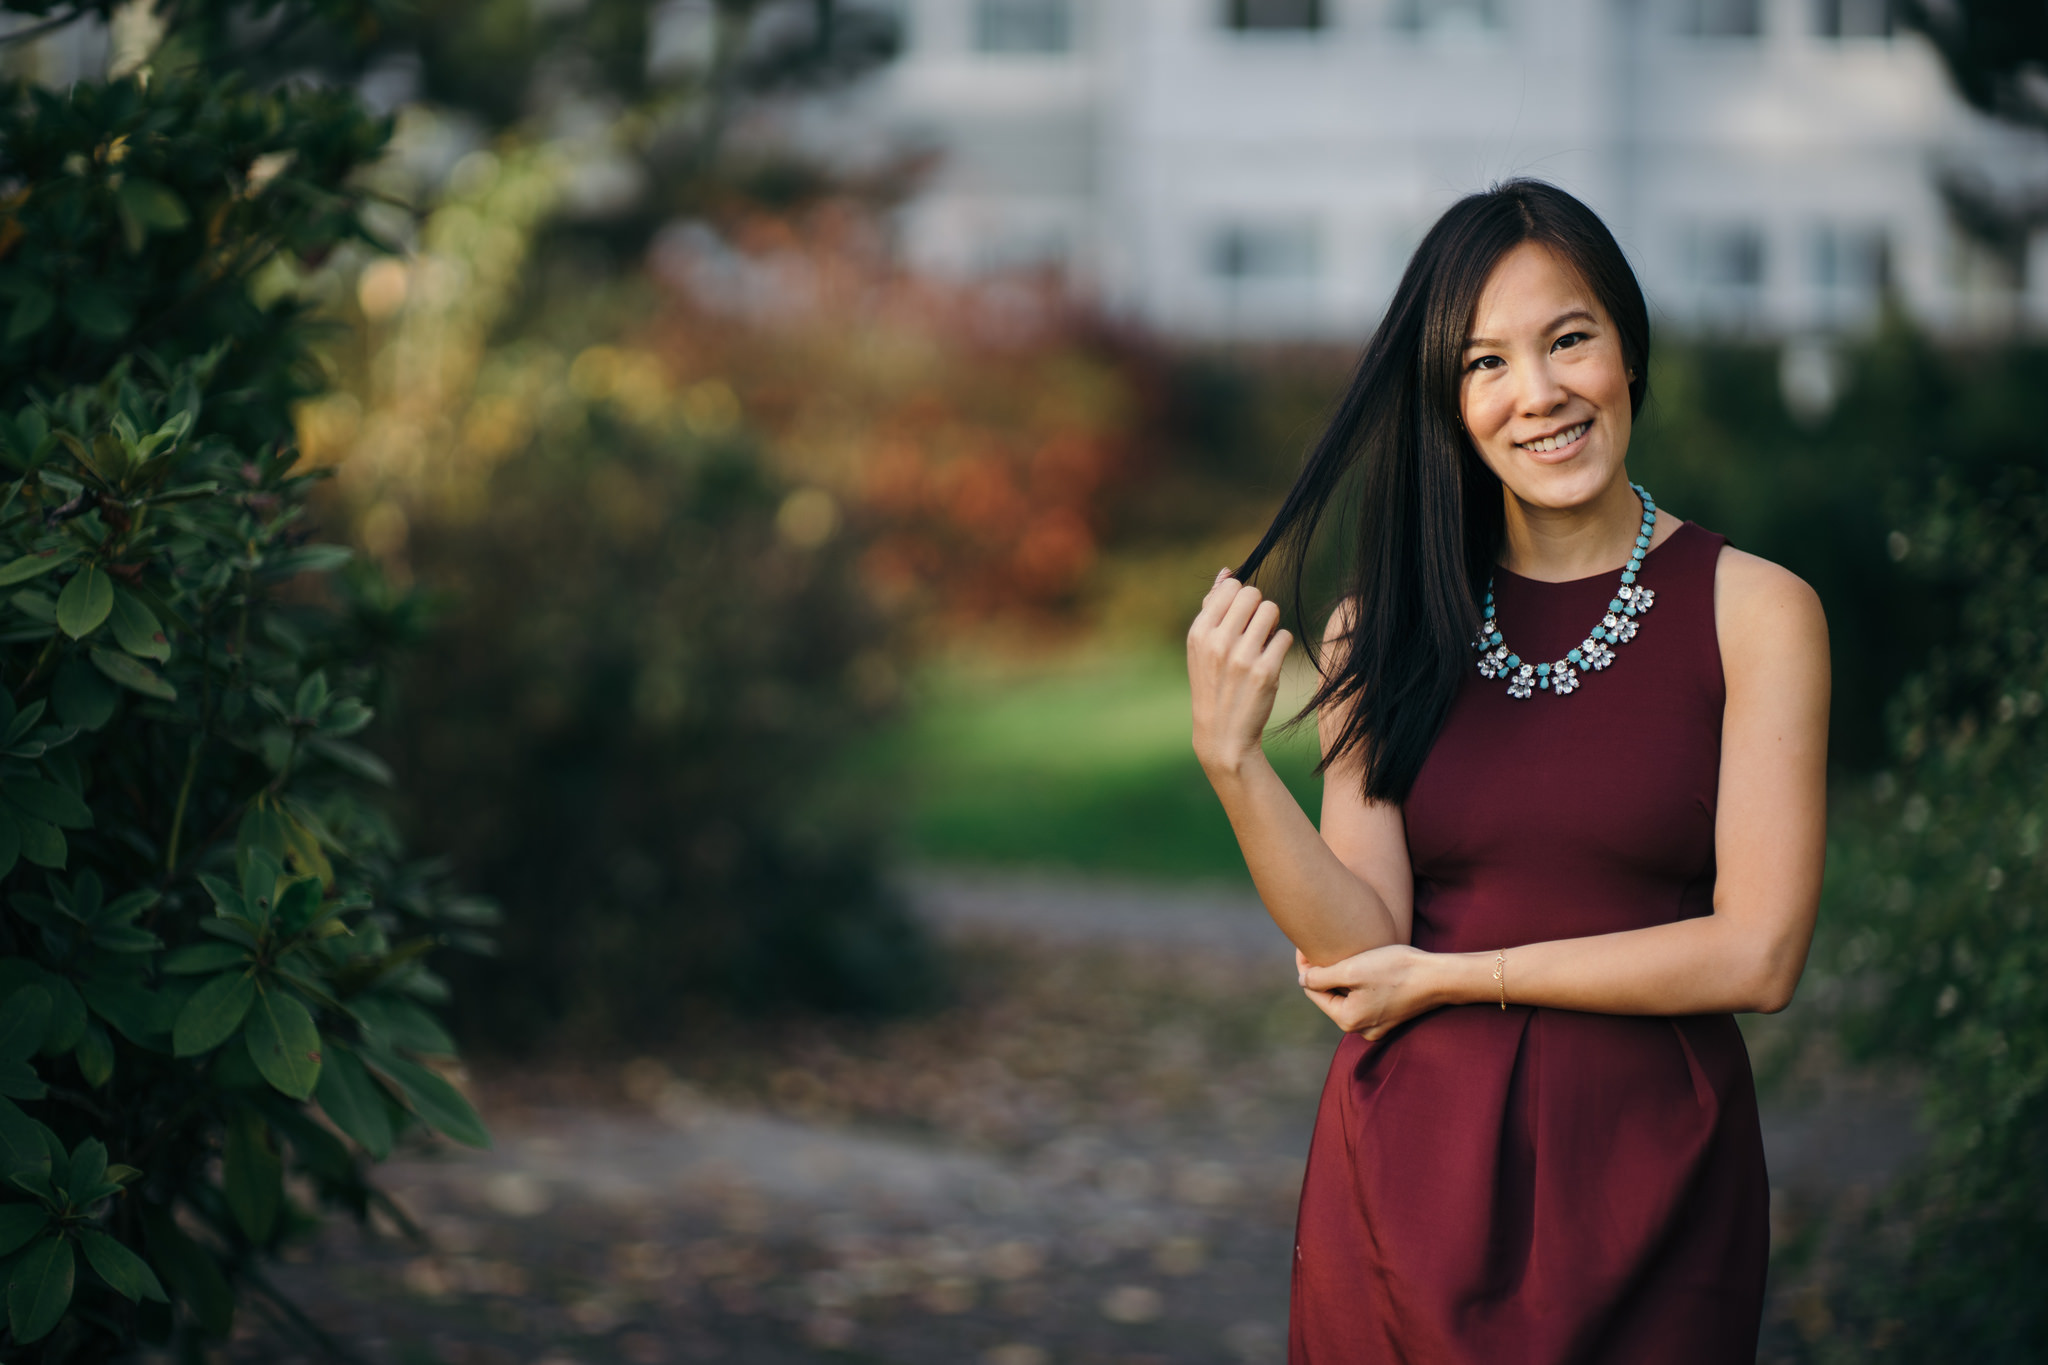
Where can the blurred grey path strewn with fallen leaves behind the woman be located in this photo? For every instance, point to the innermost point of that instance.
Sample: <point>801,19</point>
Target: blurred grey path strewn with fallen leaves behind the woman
<point>1093,1159</point>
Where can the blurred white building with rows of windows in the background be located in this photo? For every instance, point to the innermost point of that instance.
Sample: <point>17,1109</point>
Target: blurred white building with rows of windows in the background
<point>1265,167</point>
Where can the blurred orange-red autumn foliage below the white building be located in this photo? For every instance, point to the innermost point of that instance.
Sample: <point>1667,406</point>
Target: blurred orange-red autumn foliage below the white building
<point>972,433</point>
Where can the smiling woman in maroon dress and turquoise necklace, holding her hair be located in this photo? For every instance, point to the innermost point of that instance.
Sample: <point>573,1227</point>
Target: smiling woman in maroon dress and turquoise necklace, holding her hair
<point>1574,756</point>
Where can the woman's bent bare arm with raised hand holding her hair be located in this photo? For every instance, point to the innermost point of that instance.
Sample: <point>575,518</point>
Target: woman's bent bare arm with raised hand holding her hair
<point>1332,893</point>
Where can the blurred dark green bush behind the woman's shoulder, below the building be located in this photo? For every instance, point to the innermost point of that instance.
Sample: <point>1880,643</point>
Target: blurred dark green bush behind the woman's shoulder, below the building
<point>1824,496</point>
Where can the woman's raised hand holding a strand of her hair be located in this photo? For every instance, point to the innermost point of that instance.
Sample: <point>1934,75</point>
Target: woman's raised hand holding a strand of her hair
<point>1234,672</point>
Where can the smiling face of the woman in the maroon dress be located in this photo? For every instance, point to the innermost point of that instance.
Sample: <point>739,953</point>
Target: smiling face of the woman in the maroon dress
<point>1545,388</point>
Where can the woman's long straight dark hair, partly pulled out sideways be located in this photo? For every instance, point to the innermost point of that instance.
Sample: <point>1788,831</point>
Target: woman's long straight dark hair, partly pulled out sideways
<point>1428,513</point>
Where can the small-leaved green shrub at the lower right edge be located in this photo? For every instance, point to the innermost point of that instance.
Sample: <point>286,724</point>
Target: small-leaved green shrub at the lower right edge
<point>1932,930</point>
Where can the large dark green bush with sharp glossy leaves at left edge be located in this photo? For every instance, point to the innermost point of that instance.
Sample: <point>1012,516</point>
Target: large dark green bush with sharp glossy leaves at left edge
<point>206,928</point>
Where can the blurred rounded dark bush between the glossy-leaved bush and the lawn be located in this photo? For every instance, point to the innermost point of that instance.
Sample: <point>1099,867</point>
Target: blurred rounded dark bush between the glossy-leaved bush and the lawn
<point>630,723</point>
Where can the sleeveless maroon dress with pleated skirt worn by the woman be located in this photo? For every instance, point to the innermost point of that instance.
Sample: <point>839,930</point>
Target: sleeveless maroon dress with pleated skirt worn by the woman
<point>1543,1186</point>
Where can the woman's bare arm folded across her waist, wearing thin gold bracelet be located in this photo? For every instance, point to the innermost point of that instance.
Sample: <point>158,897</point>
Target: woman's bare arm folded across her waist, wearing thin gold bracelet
<point>1770,838</point>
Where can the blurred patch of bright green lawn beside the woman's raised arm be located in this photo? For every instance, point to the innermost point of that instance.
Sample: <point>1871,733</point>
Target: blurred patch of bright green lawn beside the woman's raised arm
<point>1080,766</point>
